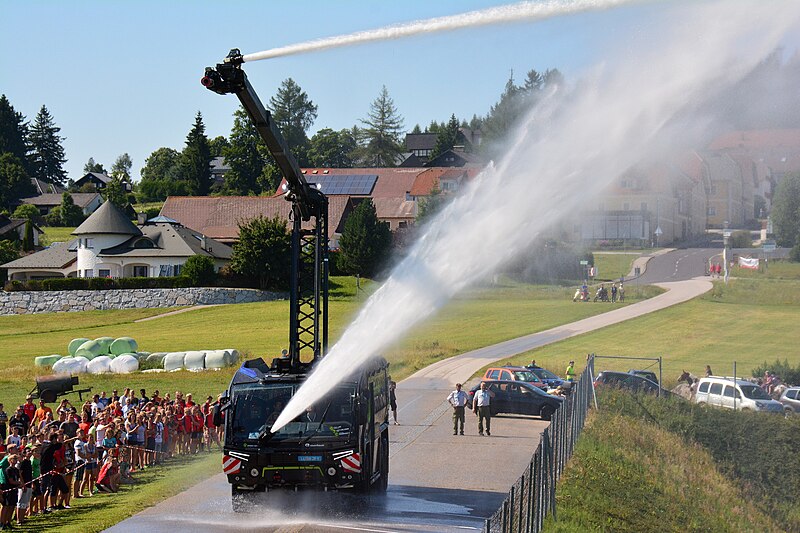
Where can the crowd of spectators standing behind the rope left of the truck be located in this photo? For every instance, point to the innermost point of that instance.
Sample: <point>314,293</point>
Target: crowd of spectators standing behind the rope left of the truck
<point>48,458</point>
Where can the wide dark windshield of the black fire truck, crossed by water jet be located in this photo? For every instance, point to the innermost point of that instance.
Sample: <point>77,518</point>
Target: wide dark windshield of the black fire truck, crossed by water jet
<point>256,407</point>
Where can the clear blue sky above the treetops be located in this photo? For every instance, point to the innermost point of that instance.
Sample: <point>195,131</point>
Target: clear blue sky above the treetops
<point>123,77</point>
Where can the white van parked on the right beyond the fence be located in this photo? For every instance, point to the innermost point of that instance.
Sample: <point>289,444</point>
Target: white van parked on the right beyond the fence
<point>735,393</point>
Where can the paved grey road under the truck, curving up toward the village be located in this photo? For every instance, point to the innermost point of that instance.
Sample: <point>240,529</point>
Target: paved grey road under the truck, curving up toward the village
<point>438,482</point>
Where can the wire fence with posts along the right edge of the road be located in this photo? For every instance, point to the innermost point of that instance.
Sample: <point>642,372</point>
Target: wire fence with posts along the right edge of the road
<point>533,495</point>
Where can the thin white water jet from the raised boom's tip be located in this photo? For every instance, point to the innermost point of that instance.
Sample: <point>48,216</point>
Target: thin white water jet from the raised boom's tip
<point>522,12</point>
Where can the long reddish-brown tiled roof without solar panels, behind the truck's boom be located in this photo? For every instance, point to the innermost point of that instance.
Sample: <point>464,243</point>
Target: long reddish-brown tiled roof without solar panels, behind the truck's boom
<point>218,217</point>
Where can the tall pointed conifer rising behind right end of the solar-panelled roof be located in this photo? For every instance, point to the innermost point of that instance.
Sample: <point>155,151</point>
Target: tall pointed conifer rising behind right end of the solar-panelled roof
<point>380,138</point>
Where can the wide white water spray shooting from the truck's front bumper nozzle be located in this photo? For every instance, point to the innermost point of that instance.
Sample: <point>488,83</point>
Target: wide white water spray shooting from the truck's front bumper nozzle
<point>568,149</point>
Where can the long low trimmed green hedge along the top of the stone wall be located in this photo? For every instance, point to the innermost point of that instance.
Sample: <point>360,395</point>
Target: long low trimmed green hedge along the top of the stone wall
<point>74,284</point>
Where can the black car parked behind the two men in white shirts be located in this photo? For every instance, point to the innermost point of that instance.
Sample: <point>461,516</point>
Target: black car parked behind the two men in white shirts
<point>520,398</point>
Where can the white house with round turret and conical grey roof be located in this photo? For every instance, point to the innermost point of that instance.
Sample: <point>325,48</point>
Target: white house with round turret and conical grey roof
<point>108,244</point>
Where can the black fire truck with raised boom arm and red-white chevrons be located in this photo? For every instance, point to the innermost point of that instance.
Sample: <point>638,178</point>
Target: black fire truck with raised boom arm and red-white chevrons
<point>342,440</point>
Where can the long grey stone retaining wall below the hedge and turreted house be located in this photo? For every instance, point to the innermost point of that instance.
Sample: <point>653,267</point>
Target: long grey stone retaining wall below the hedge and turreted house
<point>24,302</point>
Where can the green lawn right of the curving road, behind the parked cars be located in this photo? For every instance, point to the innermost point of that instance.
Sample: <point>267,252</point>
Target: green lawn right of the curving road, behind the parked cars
<point>747,321</point>
